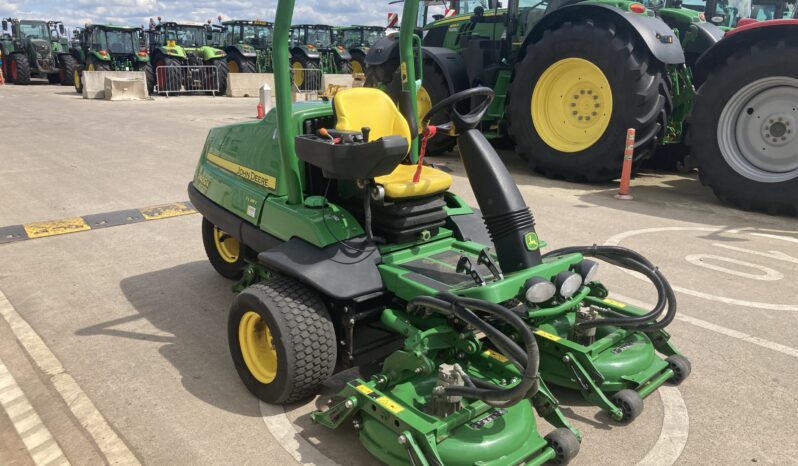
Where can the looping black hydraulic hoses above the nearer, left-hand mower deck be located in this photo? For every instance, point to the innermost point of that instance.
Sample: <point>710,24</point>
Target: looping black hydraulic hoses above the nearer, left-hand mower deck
<point>528,359</point>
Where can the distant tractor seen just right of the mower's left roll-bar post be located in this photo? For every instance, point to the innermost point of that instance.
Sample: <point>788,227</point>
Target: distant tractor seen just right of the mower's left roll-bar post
<point>315,47</point>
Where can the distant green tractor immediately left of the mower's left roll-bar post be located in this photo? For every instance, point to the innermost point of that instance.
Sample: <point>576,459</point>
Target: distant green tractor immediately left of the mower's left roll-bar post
<point>248,45</point>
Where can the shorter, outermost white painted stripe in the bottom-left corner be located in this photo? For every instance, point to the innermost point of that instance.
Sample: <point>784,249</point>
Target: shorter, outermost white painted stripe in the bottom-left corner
<point>28,424</point>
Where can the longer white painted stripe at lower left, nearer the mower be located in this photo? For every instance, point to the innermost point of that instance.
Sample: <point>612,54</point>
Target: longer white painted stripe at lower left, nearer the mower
<point>109,443</point>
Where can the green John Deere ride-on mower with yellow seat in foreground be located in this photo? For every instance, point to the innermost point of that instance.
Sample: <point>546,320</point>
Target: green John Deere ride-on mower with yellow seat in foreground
<point>350,251</point>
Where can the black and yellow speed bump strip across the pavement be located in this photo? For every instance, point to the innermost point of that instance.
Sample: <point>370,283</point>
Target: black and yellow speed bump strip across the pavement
<point>13,233</point>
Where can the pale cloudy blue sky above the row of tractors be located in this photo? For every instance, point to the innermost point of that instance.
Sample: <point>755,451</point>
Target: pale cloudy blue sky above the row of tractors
<point>138,12</point>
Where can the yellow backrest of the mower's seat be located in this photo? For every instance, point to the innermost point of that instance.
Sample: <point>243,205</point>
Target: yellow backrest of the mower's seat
<point>361,107</point>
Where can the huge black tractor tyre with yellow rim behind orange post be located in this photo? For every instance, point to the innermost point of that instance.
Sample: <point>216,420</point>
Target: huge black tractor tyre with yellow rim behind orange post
<point>574,95</point>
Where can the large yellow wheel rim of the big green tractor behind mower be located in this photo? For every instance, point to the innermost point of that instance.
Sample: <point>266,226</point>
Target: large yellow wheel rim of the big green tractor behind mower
<point>571,105</point>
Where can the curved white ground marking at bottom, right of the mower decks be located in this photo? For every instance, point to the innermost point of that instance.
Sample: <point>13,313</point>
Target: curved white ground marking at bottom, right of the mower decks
<point>675,429</point>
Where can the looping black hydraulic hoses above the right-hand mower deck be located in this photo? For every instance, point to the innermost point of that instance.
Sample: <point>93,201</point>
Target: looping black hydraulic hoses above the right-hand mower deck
<point>631,260</point>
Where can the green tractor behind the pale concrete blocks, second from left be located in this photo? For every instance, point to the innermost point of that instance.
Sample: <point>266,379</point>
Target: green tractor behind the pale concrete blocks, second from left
<point>105,47</point>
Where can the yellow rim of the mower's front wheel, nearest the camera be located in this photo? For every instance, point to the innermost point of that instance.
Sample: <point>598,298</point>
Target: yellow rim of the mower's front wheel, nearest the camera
<point>257,347</point>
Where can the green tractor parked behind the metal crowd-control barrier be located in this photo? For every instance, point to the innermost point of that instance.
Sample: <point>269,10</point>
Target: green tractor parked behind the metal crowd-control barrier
<point>184,60</point>
